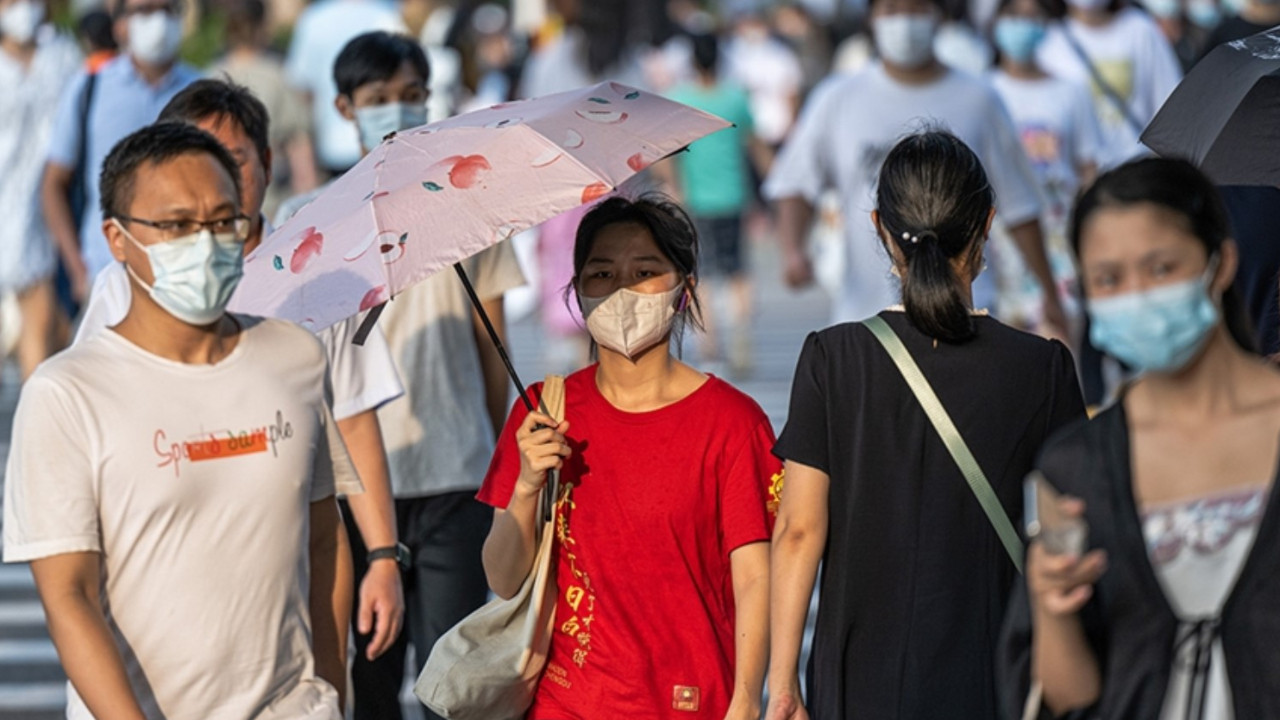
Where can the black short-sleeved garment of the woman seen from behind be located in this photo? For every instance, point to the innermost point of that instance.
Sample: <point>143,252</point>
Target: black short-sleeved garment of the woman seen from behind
<point>916,581</point>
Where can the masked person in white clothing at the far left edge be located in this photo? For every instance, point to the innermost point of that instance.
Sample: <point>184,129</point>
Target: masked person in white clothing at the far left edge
<point>35,66</point>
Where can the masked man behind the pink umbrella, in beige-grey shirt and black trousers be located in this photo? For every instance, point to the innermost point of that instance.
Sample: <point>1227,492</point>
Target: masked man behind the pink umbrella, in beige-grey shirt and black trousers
<point>441,435</point>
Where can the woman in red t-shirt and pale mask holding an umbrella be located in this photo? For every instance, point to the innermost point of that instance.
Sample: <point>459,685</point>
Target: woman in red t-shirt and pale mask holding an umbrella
<point>662,554</point>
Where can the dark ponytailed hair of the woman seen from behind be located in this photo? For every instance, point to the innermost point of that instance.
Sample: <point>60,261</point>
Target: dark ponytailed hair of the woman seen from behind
<point>934,203</point>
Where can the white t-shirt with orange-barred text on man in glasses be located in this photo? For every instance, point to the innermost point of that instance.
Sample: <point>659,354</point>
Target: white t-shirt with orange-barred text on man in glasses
<point>194,484</point>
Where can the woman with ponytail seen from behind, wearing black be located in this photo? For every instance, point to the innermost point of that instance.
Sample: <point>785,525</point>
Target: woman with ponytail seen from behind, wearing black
<point>916,578</point>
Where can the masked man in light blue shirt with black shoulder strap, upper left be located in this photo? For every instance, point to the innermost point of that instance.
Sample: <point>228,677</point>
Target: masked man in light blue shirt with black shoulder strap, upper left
<point>95,115</point>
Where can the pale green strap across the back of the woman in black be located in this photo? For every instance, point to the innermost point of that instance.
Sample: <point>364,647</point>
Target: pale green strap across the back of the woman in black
<point>950,436</point>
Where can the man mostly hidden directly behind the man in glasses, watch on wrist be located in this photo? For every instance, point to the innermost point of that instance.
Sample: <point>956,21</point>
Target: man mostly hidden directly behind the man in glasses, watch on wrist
<point>363,377</point>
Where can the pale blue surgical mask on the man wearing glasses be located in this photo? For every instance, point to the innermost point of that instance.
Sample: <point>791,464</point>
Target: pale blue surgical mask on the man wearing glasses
<point>195,276</point>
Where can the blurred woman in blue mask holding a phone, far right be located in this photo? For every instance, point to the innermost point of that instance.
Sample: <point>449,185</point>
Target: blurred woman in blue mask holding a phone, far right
<point>1172,613</point>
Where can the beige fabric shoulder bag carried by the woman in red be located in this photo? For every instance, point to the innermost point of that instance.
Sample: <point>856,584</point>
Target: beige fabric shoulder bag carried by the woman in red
<point>488,667</point>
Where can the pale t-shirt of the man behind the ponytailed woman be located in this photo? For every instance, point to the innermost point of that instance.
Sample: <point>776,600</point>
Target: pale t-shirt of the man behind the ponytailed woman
<point>842,140</point>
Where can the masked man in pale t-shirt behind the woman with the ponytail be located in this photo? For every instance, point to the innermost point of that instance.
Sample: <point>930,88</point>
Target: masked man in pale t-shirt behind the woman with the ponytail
<point>848,127</point>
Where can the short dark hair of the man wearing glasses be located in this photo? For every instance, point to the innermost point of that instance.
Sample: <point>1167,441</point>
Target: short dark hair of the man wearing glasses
<point>154,144</point>
